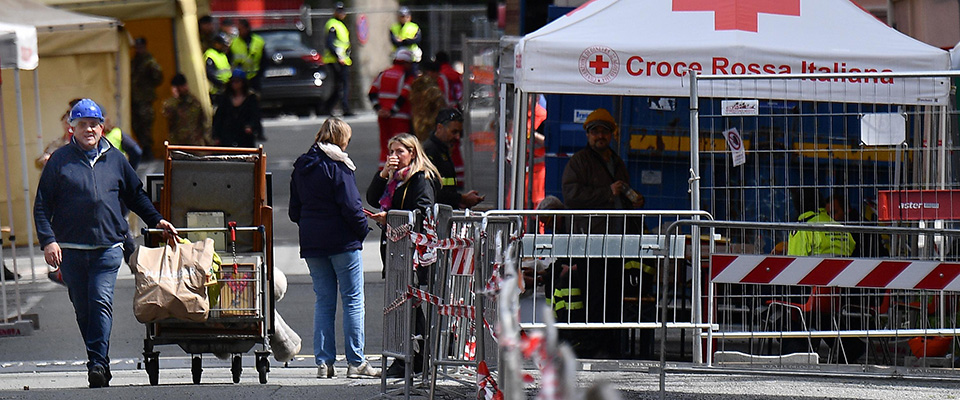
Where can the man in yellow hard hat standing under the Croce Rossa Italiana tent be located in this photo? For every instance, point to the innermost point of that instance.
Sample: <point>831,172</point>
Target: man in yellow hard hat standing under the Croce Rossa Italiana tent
<point>596,178</point>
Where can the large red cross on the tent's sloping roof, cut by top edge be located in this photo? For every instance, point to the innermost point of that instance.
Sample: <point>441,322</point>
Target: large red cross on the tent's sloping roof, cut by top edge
<point>739,15</point>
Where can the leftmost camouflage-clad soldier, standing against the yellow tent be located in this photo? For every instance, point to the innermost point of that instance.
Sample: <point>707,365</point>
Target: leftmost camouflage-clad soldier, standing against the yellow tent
<point>145,76</point>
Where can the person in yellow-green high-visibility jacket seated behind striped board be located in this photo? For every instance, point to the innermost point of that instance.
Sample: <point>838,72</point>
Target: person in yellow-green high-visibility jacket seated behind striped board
<point>825,244</point>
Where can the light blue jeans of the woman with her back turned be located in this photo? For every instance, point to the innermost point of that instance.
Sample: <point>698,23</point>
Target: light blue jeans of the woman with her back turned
<point>345,270</point>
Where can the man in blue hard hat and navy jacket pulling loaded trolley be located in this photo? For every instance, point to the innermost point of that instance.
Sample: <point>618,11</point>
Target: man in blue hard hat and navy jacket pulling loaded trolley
<point>81,228</point>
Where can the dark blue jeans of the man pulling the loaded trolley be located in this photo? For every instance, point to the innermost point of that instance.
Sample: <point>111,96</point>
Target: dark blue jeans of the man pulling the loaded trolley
<point>90,276</point>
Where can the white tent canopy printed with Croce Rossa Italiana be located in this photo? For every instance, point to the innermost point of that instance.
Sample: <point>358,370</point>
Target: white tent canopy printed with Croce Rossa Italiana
<point>629,47</point>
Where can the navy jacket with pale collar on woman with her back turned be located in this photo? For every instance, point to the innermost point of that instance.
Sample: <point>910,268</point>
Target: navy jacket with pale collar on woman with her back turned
<point>325,203</point>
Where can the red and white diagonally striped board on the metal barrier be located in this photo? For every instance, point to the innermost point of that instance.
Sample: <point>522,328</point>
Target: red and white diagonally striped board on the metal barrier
<point>837,272</point>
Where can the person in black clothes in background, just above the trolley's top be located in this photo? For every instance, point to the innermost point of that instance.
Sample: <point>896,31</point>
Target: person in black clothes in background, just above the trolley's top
<point>236,123</point>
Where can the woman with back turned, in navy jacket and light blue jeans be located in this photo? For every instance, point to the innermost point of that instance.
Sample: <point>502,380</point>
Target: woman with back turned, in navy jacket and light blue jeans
<point>325,203</point>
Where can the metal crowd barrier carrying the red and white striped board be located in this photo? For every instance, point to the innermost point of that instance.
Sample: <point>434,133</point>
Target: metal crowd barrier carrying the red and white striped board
<point>891,309</point>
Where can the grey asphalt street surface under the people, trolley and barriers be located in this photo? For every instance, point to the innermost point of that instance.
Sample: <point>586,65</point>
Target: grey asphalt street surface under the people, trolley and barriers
<point>49,364</point>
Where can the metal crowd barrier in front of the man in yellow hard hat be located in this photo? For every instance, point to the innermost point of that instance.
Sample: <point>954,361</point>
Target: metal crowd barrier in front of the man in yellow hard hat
<point>606,269</point>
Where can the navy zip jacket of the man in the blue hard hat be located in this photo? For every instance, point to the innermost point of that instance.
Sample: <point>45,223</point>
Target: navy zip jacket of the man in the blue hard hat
<point>81,204</point>
